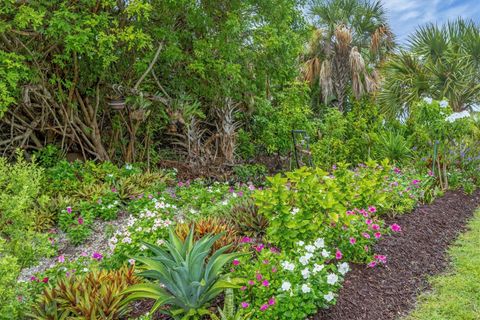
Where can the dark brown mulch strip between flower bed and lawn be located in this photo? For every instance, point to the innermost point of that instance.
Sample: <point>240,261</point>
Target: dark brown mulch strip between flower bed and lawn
<point>416,253</point>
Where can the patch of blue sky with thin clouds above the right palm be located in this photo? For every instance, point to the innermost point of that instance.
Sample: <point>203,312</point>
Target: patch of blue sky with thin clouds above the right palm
<point>406,15</point>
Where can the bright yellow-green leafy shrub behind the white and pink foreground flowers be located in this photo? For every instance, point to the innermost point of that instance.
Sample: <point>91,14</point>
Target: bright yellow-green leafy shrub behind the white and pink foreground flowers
<point>307,202</point>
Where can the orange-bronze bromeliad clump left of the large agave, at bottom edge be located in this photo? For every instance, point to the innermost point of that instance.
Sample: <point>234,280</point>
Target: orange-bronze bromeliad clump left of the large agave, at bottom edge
<point>96,295</point>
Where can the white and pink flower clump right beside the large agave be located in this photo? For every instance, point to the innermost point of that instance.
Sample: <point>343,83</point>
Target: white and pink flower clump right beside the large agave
<point>292,284</point>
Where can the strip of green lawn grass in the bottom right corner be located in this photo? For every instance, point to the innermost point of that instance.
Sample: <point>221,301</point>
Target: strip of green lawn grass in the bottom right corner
<point>456,295</point>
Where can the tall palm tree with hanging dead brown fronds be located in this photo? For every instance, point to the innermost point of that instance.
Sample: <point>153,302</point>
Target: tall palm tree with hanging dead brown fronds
<point>350,39</point>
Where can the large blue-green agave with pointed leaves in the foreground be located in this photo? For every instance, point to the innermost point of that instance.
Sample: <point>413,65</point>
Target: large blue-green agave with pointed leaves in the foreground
<point>182,278</point>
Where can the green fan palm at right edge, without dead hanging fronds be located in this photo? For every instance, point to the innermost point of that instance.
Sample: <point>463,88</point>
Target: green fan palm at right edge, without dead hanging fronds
<point>441,62</point>
